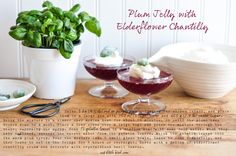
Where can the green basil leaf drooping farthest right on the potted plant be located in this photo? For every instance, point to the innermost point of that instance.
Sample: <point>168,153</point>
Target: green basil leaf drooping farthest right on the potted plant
<point>93,26</point>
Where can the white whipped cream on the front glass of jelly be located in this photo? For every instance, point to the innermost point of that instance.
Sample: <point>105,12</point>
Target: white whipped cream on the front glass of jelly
<point>144,72</point>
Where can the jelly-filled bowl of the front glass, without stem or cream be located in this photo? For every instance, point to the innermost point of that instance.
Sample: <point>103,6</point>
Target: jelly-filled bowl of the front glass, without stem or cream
<point>142,86</point>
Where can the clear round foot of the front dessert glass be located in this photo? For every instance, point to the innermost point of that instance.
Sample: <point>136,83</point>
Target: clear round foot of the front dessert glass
<point>144,107</point>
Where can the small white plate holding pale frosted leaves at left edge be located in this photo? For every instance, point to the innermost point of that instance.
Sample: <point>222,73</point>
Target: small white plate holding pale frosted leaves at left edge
<point>8,86</point>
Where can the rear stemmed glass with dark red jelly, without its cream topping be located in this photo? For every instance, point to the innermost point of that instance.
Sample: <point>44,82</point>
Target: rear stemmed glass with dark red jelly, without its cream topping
<point>108,74</point>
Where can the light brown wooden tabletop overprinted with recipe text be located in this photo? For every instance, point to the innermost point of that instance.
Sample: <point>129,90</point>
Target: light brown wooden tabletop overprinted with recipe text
<point>88,125</point>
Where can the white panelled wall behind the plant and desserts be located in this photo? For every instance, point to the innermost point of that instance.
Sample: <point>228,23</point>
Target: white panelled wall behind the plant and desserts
<point>219,15</point>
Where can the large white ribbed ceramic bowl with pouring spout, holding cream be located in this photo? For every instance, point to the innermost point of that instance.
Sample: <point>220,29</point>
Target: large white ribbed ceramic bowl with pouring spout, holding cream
<point>203,80</point>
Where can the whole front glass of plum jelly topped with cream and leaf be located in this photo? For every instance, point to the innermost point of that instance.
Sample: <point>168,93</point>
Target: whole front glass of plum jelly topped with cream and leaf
<point>144,79</point>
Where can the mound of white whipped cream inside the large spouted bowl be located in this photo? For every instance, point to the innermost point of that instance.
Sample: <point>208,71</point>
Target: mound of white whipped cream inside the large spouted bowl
<point>206,55</point>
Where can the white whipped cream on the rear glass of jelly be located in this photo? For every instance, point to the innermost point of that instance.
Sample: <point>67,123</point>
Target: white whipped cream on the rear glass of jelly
<point>112,60</point>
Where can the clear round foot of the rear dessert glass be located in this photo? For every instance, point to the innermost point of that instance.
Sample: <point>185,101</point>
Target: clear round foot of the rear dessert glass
<point>108,91</point>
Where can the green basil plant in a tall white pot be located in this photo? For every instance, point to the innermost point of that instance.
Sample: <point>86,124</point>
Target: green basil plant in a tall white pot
<point>51,45</point>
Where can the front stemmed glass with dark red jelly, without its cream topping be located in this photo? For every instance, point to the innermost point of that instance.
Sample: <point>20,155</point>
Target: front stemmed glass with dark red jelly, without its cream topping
<point>144,88</point>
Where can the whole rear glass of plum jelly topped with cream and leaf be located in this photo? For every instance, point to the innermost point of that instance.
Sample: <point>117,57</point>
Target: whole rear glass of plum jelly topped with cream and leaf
<point>105,67</point>
